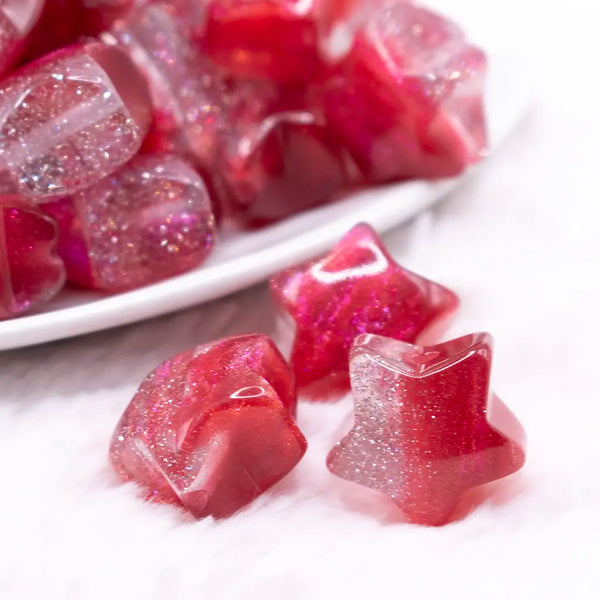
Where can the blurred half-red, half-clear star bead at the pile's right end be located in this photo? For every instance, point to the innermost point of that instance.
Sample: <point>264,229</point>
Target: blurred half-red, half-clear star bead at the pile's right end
<point>407,100</point>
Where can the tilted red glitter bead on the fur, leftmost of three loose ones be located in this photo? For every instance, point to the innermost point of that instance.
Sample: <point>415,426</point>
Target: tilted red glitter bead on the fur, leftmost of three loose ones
<point>212,428</point>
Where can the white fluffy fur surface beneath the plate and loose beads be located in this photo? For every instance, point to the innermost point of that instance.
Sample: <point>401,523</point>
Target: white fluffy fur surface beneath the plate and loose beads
<point>520,245</point>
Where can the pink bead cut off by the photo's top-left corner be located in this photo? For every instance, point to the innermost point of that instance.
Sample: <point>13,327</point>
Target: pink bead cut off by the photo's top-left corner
<point>17,18</point>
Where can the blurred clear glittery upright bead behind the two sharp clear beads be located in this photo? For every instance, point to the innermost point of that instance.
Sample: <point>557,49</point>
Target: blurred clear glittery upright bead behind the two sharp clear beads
<point>188,94</point>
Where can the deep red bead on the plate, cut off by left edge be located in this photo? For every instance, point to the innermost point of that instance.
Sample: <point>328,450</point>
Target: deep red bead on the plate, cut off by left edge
<point>30,270</point>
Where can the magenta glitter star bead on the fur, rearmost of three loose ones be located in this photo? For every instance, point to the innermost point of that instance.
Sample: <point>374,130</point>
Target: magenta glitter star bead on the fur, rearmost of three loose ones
<point>357,288</point>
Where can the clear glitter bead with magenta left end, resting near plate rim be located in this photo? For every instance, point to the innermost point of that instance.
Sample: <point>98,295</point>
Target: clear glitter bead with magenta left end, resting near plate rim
<point>150,220</point>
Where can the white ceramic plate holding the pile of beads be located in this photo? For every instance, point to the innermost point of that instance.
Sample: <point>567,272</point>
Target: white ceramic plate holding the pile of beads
<point>244,258</point>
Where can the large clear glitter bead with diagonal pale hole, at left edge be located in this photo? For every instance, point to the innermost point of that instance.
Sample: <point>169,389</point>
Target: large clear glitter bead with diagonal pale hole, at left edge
<point>70,119</point>
